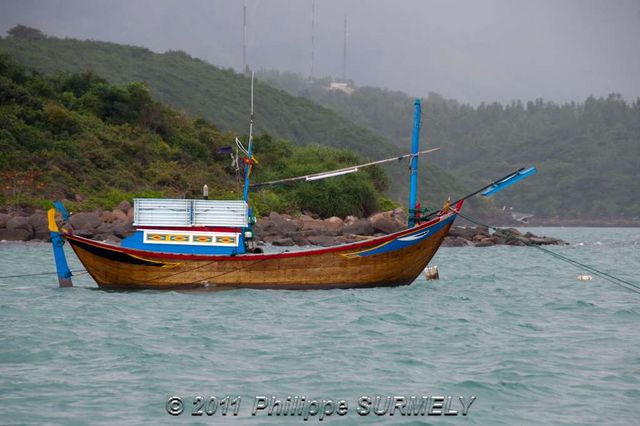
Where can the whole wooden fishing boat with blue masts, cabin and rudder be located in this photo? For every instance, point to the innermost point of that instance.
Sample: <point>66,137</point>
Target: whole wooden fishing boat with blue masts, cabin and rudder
<point>181,243</point>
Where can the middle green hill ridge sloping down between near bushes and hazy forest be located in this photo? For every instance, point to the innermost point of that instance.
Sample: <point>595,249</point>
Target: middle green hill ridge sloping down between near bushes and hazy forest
<point>221,96</point>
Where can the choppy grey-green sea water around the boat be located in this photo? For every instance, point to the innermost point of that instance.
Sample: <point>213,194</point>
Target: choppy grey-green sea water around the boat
<point>508,324</point>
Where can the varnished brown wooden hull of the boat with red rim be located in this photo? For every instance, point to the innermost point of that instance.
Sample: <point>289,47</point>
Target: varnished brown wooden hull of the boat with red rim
<point>392,260</point>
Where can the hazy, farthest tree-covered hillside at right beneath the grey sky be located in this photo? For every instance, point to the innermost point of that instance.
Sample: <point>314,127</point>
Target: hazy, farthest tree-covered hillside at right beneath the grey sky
<point>588,155</point>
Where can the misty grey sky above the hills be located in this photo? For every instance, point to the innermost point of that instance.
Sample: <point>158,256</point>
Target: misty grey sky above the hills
<point>469,50</point>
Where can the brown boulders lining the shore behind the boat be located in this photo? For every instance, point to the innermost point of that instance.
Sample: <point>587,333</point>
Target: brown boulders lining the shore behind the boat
<point>275,229</point>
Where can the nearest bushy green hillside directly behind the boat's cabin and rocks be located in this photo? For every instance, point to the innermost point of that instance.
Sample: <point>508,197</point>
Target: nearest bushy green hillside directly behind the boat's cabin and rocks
<point>78,137</point>
